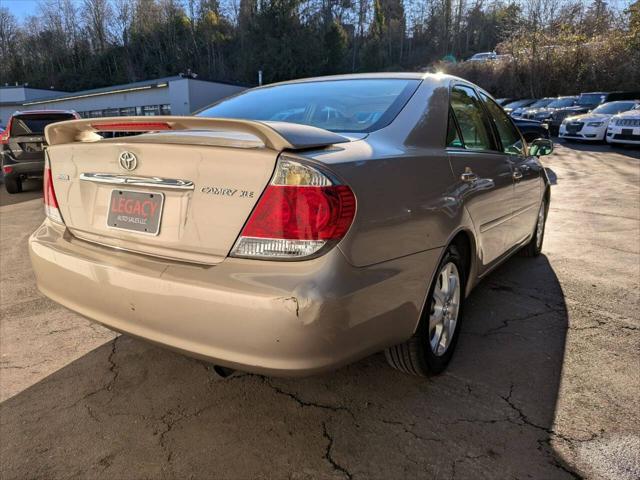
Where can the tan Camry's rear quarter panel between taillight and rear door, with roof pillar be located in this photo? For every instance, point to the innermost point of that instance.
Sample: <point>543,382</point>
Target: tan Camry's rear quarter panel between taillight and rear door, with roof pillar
<point>404,187</point>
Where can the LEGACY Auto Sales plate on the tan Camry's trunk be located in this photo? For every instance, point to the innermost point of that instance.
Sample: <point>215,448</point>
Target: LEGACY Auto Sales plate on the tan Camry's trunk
<point>152,229</point>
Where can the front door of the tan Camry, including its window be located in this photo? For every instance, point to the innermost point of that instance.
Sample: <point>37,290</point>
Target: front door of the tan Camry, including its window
<point>527,173</point>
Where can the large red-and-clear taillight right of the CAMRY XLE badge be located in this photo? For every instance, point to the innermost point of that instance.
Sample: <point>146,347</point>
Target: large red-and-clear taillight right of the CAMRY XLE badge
<point>301,213</point>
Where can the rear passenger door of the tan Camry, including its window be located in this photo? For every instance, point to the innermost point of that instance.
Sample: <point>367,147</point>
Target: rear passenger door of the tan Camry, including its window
<point>484,174</point>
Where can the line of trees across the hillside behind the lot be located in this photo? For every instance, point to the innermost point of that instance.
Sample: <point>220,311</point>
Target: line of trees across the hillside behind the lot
<point>550,46</point>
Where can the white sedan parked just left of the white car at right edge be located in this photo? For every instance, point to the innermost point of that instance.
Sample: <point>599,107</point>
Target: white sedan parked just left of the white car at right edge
<point>593,125</point>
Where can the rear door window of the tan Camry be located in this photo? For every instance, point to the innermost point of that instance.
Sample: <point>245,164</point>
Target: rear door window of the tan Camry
<point>472,120</point>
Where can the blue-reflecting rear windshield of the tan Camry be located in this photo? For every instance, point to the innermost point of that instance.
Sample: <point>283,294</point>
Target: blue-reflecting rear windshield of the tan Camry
<point>336,105</point>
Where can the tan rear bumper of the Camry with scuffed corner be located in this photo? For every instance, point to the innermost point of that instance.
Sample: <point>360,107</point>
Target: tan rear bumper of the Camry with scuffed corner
<point>282,318</point>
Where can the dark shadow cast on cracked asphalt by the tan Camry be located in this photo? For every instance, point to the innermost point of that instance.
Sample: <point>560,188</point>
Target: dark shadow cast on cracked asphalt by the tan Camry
<point>132,410</point>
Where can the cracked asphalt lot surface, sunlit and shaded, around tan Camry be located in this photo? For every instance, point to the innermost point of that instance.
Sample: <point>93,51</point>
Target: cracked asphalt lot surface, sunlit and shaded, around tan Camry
<point>545,383</point>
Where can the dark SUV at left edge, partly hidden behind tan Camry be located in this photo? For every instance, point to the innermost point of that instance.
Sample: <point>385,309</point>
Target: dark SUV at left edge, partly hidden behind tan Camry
<point>21,145</point>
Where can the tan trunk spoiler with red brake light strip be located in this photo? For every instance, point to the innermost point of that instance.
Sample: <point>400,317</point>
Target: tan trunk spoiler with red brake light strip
<point>274,135</point>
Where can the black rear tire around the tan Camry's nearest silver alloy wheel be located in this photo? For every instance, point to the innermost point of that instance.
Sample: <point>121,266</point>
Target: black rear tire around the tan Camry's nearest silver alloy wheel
<point>416,356</point>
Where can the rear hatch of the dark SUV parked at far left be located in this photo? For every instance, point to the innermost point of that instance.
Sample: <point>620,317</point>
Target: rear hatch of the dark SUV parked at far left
<point>26,134</point>
